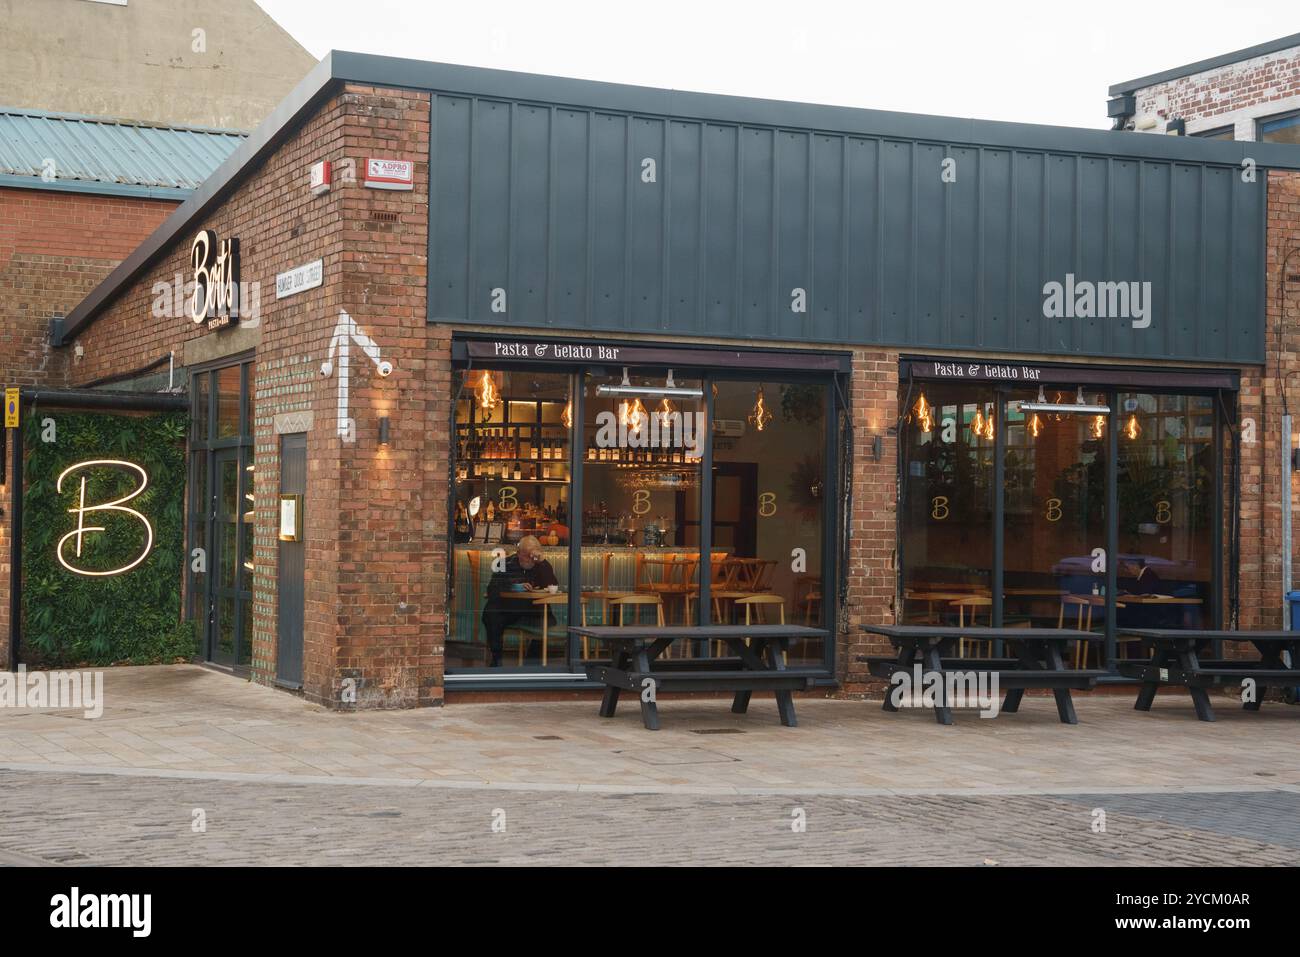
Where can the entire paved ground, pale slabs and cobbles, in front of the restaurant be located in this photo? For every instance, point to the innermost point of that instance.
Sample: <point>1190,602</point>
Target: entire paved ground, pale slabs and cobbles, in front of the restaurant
<point>283,782</point>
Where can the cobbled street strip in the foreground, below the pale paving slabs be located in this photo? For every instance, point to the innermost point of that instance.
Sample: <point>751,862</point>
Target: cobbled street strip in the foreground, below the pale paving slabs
<point>118,820</point>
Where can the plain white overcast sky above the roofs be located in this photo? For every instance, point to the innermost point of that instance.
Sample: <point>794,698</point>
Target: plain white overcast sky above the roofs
<point>1045,63</point>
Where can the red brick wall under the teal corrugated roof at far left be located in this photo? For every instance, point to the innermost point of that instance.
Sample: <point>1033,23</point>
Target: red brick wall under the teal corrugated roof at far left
<point>55,248</point>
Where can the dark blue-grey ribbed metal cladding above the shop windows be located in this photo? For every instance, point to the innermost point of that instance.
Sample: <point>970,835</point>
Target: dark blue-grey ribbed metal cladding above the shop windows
<point>549,203</point>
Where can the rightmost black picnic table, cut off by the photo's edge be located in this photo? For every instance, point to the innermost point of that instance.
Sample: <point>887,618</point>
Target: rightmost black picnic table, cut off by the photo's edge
<point>1177,660</point>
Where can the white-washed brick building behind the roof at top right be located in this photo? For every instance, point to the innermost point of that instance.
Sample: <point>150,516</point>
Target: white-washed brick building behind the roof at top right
<point>1251,94</point>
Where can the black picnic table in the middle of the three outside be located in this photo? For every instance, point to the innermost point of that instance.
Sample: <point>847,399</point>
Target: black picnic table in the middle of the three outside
<point>1038,662</point>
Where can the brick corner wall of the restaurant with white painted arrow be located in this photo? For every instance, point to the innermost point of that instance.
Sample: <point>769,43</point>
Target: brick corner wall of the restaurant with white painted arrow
<point>375,518</point>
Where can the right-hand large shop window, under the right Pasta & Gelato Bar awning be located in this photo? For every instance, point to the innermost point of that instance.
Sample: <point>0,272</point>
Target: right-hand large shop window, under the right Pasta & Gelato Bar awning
<point>1055,508</point>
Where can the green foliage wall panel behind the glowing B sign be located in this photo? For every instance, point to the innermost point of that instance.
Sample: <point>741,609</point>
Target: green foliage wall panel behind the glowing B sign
<point>76,620</point>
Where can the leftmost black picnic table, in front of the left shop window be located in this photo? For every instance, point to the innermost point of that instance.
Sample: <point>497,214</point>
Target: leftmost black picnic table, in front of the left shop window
<point>757,664</point>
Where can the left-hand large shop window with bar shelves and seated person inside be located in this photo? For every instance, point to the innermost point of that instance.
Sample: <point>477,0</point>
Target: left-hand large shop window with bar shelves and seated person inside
<point>584,496</point>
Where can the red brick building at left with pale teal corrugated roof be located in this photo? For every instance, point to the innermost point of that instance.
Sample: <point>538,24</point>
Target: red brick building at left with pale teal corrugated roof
<point>77,194</point>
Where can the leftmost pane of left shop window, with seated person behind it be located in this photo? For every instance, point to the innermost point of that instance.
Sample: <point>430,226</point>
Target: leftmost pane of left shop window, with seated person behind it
<point>512,493</point>
